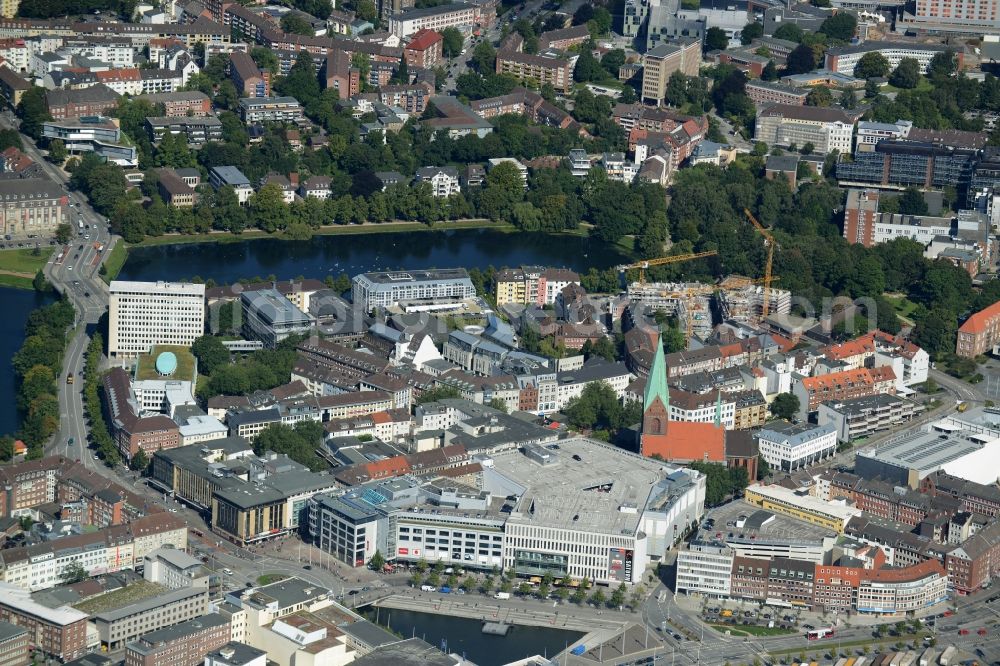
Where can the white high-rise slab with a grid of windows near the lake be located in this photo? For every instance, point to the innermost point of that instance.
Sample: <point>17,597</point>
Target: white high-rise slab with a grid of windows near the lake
<point>143,314</point>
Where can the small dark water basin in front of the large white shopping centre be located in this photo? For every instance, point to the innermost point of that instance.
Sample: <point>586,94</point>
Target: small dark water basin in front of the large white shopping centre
<point>464,636</point>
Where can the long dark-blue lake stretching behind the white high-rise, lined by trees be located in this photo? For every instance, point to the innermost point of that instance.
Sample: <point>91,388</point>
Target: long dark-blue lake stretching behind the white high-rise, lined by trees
<point>352,254</point>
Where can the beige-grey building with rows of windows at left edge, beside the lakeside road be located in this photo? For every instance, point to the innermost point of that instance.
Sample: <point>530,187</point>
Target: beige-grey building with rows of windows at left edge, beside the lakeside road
<point>32,206</point>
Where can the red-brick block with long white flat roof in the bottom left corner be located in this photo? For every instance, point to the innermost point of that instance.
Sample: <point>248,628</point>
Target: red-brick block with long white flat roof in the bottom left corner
<point>60,632</point>
